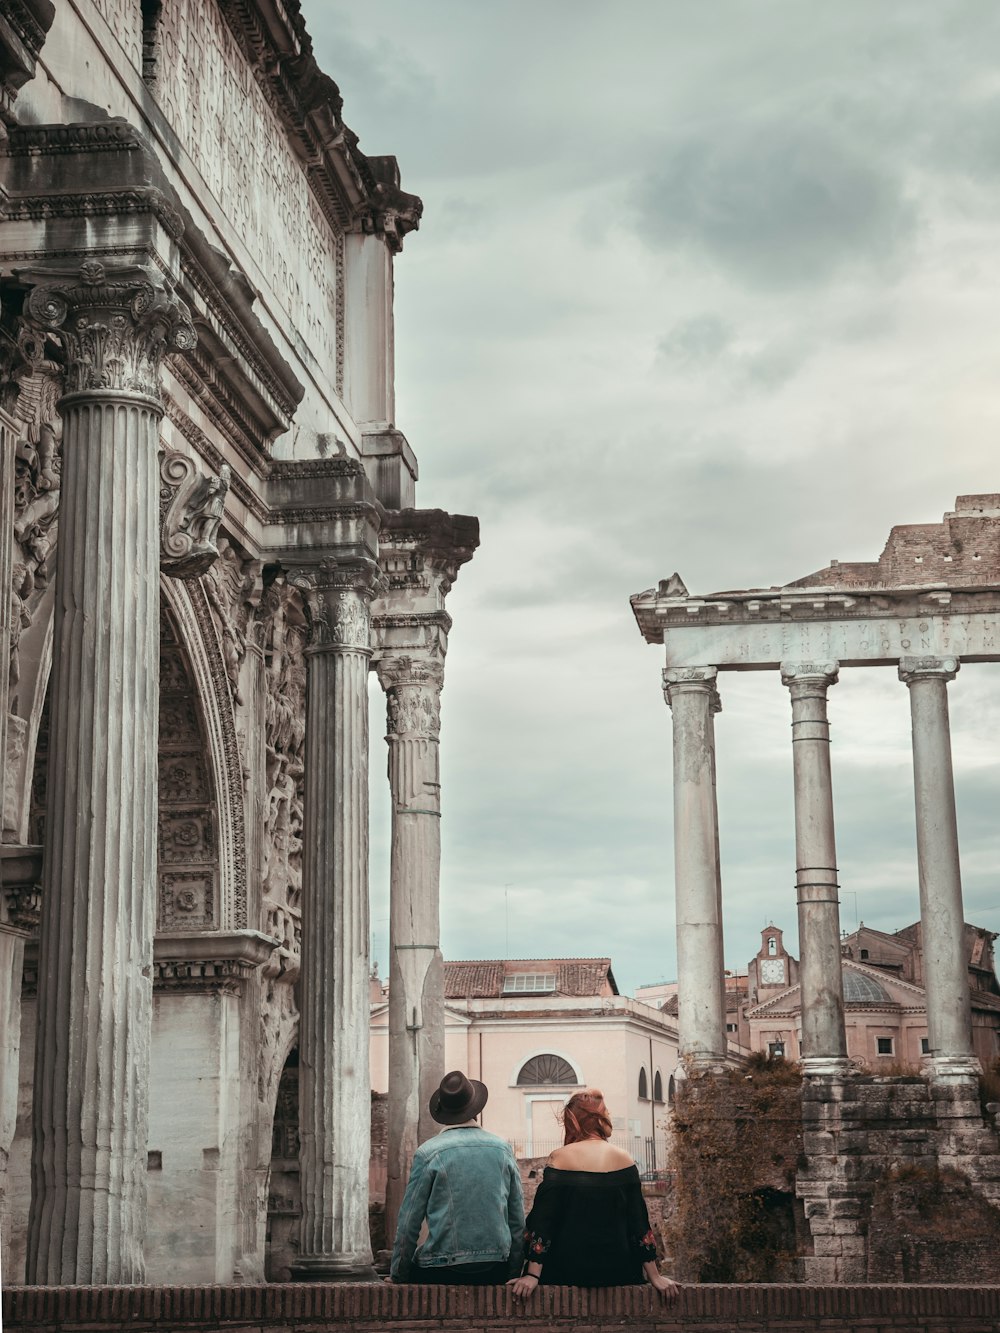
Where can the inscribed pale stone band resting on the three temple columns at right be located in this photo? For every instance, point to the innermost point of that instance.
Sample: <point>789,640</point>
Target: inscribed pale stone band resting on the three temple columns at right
<point>849,642</point>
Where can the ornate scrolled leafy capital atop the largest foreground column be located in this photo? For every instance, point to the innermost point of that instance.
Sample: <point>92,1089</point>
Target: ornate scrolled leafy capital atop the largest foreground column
<point>115,323</point>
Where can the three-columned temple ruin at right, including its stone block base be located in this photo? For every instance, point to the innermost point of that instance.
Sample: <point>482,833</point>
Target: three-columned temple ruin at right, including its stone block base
<point>930,603</point>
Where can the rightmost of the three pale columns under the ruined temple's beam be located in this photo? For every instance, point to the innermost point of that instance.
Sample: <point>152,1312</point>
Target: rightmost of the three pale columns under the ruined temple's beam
<point>942,915</point>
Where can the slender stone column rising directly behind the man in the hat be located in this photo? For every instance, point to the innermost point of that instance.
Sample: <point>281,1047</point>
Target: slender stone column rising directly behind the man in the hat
<point>417,970</point>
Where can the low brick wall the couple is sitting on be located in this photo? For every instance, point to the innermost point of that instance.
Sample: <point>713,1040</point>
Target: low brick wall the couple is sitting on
<point>326,1310</point>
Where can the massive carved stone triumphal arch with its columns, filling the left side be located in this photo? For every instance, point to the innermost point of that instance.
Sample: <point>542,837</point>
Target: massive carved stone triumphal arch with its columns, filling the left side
<point>210,535</point>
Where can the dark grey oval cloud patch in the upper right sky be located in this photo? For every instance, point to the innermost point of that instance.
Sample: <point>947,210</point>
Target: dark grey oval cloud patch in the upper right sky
<point>778,203</point>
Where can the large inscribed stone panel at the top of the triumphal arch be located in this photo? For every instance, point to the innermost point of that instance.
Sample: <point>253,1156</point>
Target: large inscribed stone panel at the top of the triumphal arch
<point>214,102</point>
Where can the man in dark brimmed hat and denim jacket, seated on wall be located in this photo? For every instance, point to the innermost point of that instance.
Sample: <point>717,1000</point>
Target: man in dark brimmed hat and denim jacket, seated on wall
<point>466,1183</point>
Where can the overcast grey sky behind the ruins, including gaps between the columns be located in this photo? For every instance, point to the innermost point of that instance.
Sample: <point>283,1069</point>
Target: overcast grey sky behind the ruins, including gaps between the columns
<point>699,287</point>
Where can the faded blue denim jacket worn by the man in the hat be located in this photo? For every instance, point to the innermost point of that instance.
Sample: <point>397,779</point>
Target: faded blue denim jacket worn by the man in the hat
<point>466,1183</point>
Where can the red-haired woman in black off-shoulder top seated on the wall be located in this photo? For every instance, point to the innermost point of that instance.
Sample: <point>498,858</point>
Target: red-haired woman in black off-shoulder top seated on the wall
<point>590,1226</point>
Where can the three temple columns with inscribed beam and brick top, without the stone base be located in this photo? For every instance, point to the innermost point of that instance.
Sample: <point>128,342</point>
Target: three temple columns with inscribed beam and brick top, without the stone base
<point>929,605</point>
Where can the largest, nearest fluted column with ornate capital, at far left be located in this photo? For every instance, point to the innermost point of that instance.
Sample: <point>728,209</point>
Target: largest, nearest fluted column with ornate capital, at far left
<point>98,910</point>
